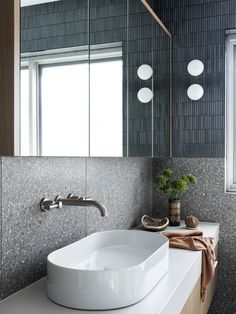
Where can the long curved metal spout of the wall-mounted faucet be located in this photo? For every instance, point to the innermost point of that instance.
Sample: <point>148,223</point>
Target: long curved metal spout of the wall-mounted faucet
<point>73,200</point>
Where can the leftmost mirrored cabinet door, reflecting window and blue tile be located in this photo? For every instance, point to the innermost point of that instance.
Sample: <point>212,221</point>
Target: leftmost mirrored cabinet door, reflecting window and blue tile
<point>54,115</point>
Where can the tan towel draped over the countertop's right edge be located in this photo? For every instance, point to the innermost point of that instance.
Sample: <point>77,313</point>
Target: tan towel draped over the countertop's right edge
<point>194,241</point>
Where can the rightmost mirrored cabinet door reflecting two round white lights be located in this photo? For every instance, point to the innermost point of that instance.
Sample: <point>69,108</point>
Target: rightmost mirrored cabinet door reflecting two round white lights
<point>149,83</point>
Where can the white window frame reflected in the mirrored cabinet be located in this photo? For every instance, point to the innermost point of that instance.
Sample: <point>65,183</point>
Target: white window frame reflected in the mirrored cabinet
<point>34,60</point>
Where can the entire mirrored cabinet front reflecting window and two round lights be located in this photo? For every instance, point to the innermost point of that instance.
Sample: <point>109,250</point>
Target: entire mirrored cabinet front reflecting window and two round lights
<point>83,64</point>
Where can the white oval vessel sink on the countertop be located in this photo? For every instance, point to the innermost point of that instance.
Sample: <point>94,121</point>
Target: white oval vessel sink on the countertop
<point>107,270</point>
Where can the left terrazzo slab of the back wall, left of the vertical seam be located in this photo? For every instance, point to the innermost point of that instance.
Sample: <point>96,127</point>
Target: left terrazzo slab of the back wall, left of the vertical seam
<point>28,234</point>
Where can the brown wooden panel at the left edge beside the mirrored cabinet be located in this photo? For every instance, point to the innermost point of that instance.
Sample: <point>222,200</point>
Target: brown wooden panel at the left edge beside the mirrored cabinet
<point>9,72</point>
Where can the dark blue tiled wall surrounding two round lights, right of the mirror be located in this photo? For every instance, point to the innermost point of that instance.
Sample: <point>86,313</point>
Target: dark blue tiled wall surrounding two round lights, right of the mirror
<point>198,28</point>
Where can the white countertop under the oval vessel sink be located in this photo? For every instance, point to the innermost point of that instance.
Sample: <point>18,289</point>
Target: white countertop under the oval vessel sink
<point>167,297</point>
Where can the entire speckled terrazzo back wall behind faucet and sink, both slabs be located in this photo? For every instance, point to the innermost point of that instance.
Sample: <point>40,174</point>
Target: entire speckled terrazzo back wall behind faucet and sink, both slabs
<point>29,235</point>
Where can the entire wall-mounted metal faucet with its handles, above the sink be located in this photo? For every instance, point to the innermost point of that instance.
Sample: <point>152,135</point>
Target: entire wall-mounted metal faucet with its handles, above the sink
<point>72,200</point>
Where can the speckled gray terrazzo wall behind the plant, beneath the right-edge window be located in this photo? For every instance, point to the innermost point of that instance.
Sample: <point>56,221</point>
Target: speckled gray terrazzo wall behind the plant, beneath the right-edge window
<point>208,202</point>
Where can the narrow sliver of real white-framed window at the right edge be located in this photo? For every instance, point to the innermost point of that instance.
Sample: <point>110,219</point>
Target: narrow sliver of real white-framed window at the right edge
<point>230,113</point>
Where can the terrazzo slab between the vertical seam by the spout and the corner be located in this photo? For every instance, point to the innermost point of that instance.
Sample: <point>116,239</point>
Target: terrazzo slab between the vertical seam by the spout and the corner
<point>125,188</point>
